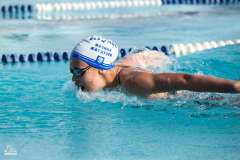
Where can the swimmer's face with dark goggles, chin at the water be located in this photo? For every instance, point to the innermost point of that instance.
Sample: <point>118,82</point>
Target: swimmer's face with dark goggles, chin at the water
<point>85,77</point>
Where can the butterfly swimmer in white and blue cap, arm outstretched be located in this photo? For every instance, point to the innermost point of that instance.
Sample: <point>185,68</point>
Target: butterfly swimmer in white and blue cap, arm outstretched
<point>94,67</point>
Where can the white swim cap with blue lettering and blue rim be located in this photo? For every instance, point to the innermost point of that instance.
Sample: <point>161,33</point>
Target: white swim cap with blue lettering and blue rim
<point>96,51</point>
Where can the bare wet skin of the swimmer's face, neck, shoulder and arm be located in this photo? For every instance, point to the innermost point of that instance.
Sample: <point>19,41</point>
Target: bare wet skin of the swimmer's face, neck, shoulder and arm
<point>145,83</point>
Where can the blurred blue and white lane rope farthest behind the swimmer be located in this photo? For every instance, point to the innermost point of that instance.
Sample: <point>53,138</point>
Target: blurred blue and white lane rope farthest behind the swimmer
<point>46,11</point>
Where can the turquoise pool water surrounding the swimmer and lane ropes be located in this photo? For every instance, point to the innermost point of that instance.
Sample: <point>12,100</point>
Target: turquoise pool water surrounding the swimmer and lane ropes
<point>42,117</point>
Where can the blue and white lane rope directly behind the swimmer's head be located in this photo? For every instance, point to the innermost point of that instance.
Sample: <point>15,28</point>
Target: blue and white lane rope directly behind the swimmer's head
<point>177,50</point>
